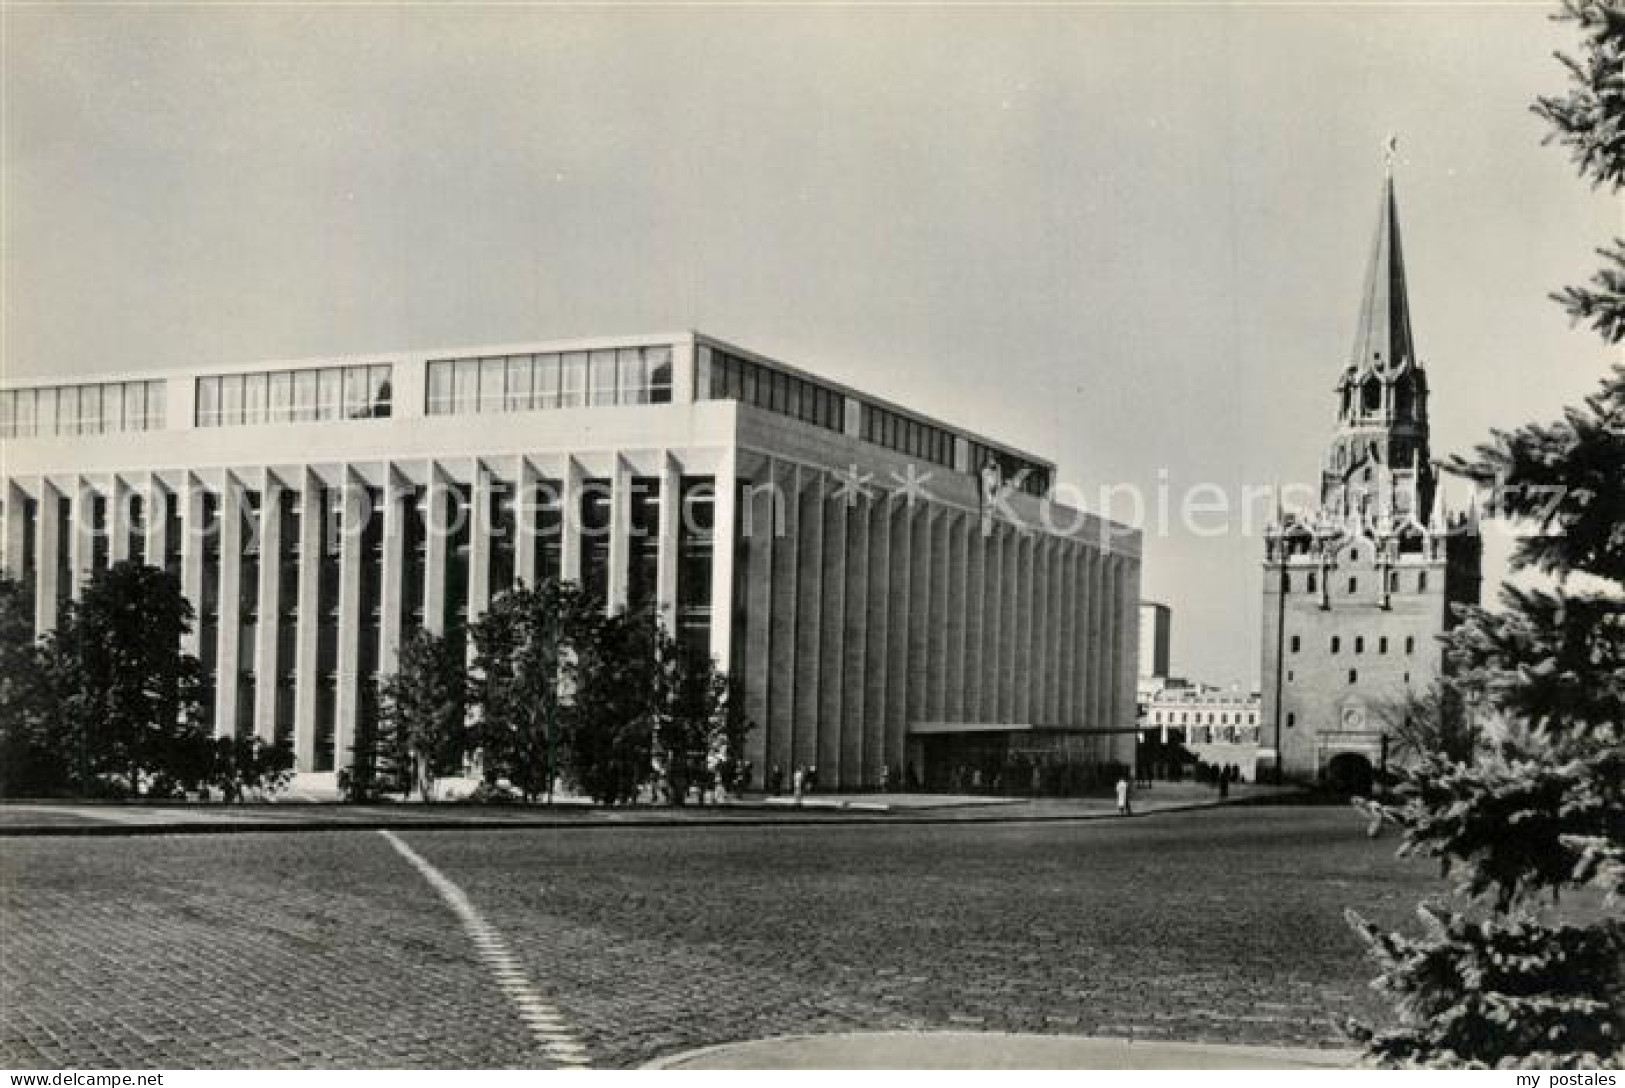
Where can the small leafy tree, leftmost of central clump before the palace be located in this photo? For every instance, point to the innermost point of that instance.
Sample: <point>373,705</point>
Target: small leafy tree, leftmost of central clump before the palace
<point>423,704</point>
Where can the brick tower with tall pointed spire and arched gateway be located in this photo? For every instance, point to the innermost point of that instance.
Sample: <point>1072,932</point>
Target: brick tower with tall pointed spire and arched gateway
<point>1359,592</point>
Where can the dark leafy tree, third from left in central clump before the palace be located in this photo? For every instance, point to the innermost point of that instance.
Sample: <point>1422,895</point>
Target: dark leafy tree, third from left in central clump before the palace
<point>609,706</point>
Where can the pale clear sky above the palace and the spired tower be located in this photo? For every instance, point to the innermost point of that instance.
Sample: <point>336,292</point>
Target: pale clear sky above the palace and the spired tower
<point>1129,240</point>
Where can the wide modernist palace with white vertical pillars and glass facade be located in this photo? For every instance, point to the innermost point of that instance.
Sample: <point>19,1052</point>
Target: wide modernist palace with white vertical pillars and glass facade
<point>888,590</point>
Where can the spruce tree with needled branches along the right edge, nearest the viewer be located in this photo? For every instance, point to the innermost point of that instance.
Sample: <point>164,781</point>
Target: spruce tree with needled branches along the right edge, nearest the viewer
<point>1506,977</point>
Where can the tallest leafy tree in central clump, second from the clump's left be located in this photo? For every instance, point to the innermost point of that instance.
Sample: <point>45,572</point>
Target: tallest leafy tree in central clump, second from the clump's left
<point>522,654</point>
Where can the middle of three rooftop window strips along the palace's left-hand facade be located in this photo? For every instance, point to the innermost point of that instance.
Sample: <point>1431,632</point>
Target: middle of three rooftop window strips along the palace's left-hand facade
<point>295,397</point>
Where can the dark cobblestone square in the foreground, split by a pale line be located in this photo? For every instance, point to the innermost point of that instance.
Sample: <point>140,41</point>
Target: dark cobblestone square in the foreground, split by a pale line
<point>326,949</point>
